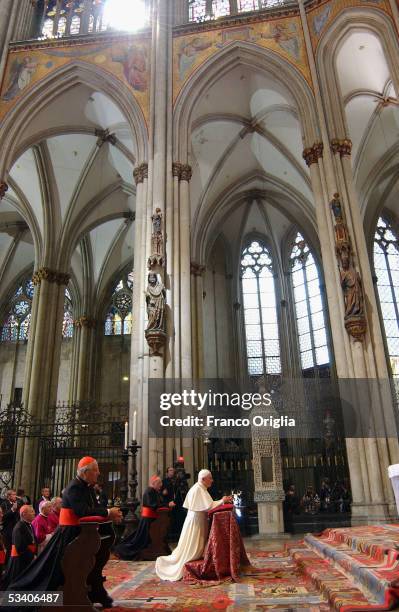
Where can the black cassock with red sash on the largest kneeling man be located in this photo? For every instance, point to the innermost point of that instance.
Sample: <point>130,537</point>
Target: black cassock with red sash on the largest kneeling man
<point>45,573</point>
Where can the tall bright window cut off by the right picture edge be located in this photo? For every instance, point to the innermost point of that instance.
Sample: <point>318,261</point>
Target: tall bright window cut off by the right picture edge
<point>386,266</point>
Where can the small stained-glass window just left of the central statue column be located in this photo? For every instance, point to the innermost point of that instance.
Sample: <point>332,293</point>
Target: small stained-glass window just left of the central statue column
<point>118,321</point>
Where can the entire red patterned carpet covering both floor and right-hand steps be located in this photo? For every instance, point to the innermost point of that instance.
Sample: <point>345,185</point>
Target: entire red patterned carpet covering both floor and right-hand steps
<point>348,569</point>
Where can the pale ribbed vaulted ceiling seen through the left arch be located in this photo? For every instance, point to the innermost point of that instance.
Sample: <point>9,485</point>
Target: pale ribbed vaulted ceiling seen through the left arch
<point>71,195</point>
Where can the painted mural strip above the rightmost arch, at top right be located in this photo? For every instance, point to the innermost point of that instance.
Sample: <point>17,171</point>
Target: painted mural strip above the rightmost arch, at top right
<point>320,18</point>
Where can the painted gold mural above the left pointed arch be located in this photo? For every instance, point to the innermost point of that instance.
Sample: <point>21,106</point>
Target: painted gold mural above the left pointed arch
<point>128,60</point>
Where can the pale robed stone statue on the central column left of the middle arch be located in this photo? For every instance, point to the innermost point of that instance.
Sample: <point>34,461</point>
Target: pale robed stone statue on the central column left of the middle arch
<point>156,305</point>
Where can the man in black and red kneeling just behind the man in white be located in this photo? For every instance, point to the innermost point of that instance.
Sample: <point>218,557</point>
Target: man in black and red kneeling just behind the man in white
<point>131,546</point>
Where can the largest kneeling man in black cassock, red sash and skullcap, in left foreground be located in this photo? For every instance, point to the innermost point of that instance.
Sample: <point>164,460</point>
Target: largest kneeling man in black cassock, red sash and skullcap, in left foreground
<point>78,501</point>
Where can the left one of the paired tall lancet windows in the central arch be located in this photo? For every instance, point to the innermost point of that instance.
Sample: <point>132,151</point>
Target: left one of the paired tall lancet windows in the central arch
<point>260,312</point>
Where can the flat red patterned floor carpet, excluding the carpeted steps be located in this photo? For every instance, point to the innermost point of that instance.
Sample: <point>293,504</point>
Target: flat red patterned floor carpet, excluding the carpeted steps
<point>279,585</point>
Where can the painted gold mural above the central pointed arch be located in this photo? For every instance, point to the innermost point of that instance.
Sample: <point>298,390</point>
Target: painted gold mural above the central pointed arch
<point>283,36</point>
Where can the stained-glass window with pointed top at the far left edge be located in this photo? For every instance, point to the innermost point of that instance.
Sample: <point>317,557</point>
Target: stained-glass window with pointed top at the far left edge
<point>17,322</point>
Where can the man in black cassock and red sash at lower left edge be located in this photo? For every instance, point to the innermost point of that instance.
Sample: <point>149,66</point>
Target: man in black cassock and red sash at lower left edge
<point>23,548</point>
